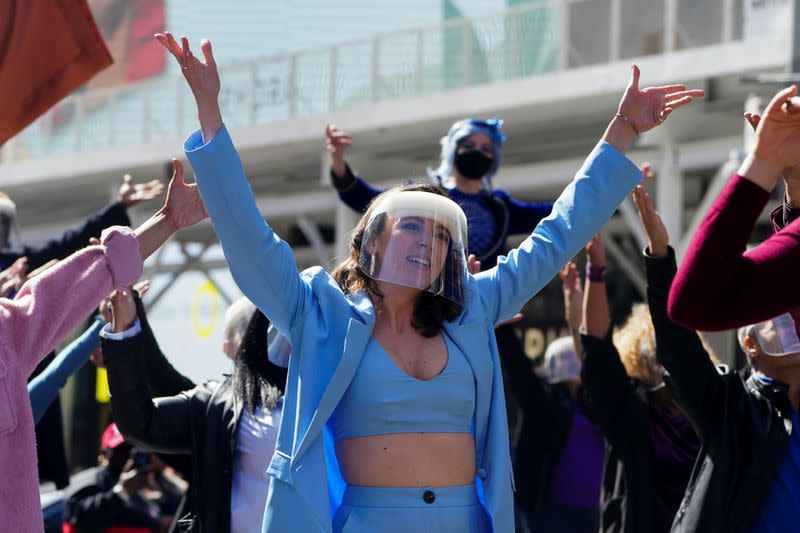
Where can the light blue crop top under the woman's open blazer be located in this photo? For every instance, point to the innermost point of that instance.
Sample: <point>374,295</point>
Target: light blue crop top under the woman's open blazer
<point>382,399</point>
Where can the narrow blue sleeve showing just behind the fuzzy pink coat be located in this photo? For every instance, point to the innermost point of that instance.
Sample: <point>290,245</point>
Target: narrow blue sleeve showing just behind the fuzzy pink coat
<point>43,389</point>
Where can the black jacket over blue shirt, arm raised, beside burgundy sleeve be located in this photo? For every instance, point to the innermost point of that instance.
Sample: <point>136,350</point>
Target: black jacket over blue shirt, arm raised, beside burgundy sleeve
<point>743,424</point>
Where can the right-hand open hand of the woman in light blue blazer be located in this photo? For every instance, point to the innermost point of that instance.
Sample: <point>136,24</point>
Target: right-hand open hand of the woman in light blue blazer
<point>647,108</point>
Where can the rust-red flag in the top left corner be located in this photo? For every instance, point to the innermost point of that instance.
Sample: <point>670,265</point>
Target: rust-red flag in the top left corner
<point>48,48</point>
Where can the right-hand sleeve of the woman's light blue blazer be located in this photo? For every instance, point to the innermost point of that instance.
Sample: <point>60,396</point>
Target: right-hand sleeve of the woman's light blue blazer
<point>586,204</point>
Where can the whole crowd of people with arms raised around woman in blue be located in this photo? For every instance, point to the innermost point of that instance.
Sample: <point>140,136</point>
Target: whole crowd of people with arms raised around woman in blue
<point>373,397</point>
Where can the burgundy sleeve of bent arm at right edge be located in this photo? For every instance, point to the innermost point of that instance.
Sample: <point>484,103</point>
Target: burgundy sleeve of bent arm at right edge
<point>721,286</point>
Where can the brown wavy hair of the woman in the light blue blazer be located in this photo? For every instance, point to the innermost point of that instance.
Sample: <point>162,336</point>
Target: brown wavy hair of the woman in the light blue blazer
<point>430,310</point>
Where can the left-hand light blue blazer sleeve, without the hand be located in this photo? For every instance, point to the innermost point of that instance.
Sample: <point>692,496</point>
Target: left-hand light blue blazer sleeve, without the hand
<point>262,264</point>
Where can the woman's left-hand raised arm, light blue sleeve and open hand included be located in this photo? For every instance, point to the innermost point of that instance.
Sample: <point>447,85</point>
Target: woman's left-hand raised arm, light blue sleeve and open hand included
<point>262,264</point>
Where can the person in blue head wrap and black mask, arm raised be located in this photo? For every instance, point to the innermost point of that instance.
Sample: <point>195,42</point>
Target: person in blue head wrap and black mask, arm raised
<point>470,158</point>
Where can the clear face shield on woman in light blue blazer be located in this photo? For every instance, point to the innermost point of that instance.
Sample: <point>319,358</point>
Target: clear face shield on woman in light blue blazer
<point>417,239</point>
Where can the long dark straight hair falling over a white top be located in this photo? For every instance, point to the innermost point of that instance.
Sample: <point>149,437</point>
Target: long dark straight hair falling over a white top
<point>256,380</point>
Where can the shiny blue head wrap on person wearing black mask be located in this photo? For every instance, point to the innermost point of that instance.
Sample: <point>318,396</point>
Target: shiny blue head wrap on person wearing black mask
<point>443,175</point>
